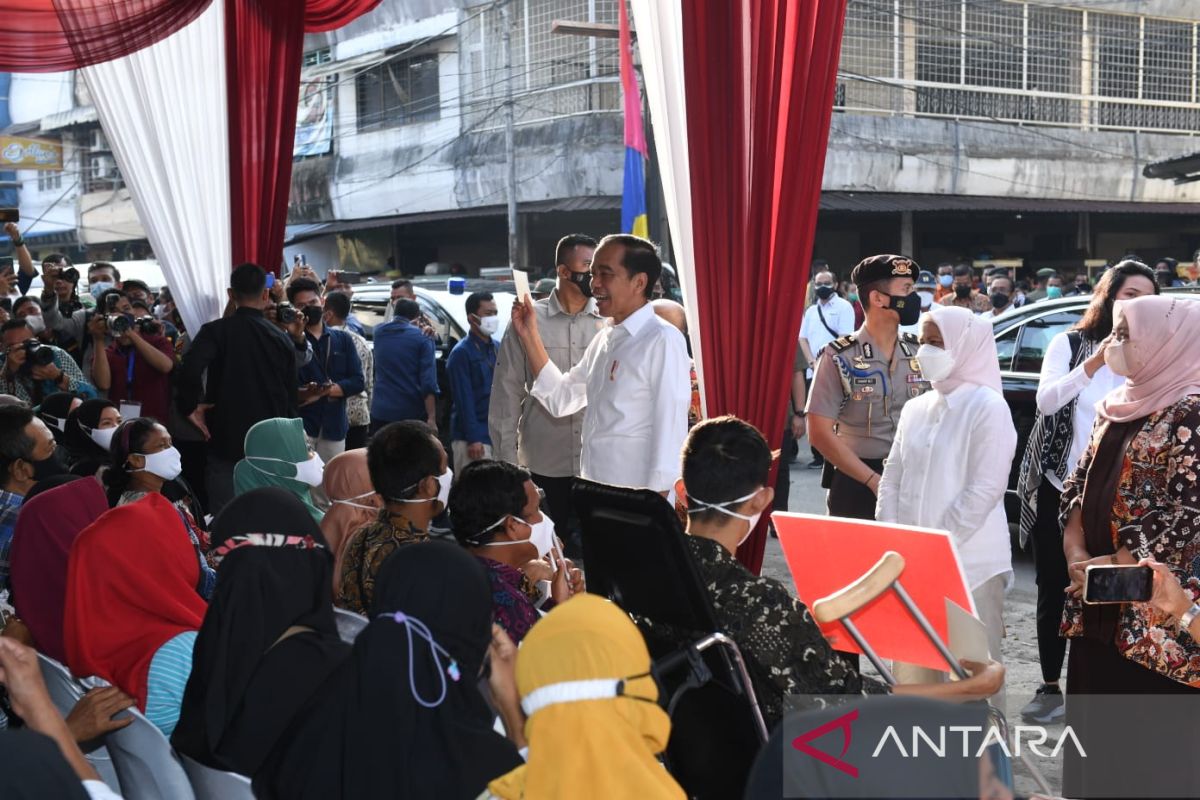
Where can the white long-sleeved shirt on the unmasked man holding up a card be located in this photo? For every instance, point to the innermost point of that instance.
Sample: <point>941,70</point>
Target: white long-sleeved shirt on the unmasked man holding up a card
<point>635,381</point>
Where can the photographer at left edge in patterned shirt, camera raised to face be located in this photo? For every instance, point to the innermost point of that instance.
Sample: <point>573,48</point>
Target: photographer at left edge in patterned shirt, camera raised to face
<point>34,371</point>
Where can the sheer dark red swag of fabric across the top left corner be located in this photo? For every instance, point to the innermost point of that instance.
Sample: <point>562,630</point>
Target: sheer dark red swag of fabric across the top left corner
<point>56,35</point>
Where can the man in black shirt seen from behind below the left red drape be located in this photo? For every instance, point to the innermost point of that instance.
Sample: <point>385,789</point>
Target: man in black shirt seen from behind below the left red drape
<point>239,371</point>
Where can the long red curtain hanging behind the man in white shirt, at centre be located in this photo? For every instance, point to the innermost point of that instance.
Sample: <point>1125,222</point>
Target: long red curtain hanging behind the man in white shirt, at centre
<point>759,82</point>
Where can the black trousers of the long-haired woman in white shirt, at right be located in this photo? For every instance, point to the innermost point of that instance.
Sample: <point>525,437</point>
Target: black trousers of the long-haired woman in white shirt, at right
<point>1051,570</point>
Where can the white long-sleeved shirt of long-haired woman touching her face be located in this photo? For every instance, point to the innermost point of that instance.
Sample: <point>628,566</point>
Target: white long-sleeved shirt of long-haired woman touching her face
<point>1060,384</point>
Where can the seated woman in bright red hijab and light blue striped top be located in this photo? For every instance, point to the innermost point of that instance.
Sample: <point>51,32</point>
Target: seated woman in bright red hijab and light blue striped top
<point>133,605</point>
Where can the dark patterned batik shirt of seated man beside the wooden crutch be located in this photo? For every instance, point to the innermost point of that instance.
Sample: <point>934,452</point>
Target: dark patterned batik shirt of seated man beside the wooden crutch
<point>781,642</point>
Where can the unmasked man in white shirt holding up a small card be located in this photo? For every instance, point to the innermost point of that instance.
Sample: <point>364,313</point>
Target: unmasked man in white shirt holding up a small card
<point>634,378</point>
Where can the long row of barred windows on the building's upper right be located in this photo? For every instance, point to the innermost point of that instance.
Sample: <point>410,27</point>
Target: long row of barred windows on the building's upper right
<point>1013,61</point>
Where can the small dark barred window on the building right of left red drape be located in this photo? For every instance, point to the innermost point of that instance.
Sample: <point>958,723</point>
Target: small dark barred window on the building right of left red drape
<point>399,93</point>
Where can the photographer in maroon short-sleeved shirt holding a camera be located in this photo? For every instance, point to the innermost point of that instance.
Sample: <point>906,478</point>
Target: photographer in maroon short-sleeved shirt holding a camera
<point>137,358</point>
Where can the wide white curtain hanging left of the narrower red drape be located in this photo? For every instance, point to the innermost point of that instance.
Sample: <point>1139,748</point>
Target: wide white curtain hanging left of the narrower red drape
<point>164,112</point>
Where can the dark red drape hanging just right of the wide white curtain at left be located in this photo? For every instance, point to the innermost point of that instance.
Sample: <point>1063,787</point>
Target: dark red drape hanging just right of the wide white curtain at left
<point>265,45</point>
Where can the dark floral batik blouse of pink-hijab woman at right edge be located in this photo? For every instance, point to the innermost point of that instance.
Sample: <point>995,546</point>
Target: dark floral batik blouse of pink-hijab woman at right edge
<point>1156,514</point>
